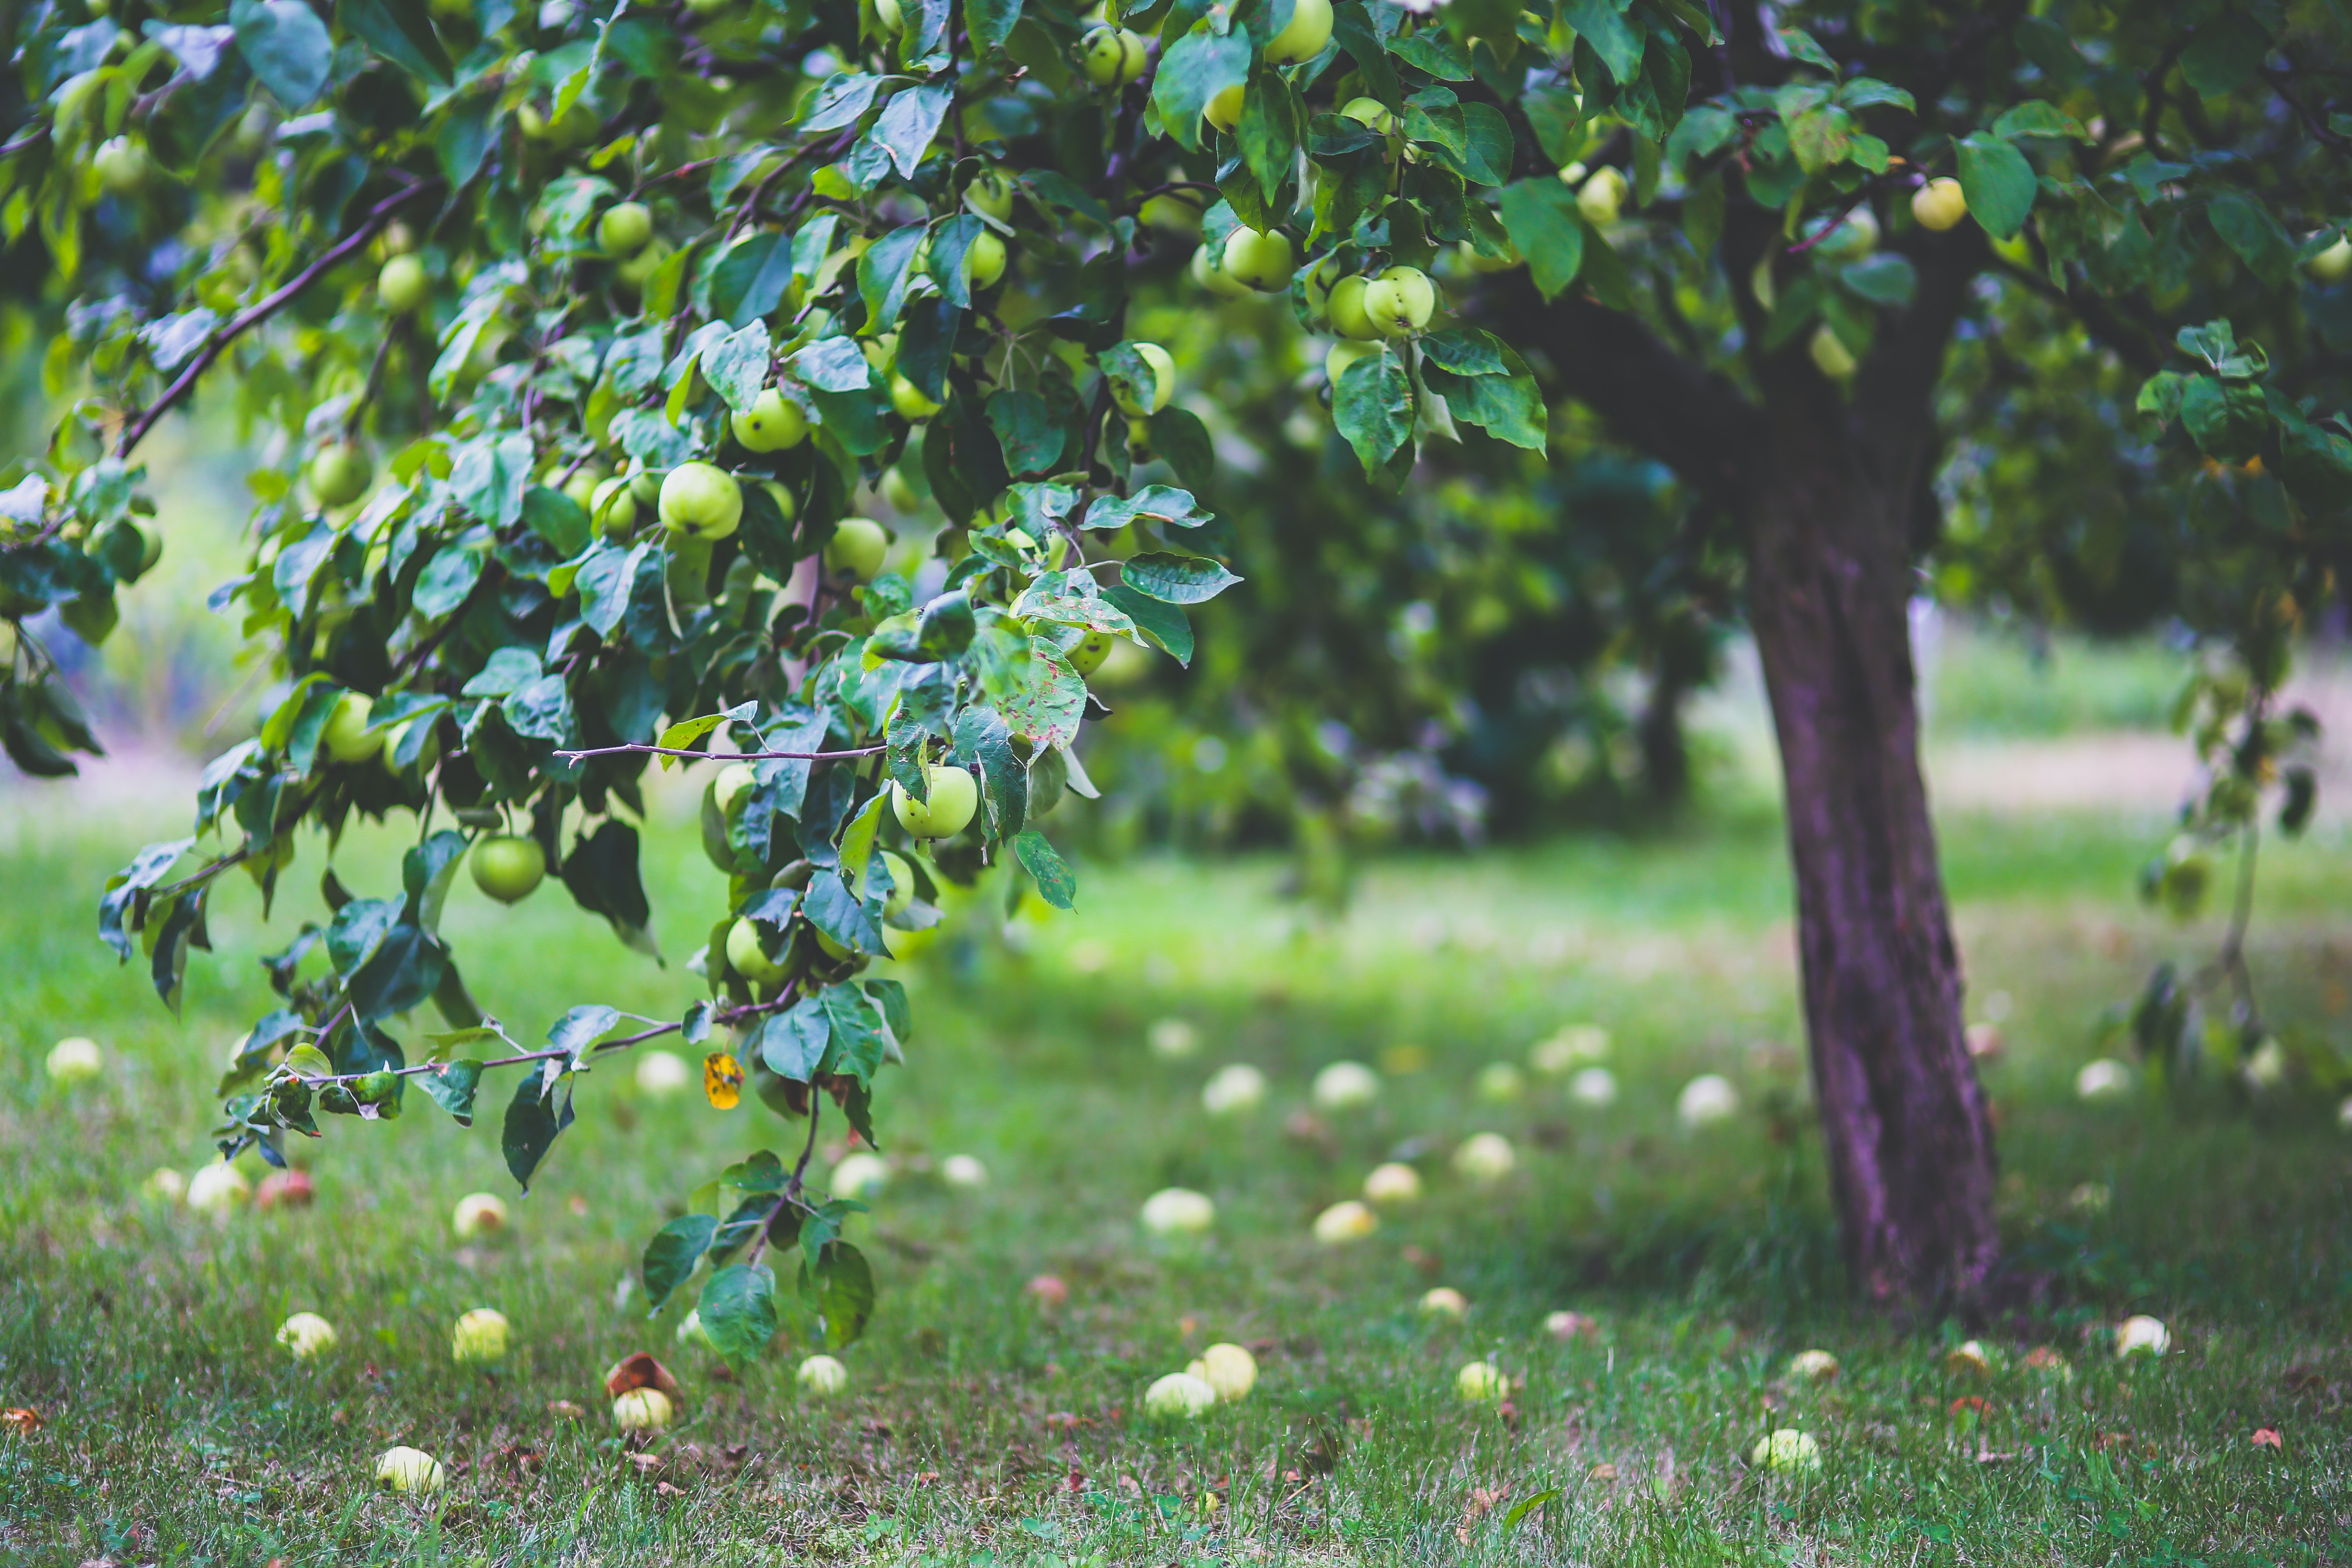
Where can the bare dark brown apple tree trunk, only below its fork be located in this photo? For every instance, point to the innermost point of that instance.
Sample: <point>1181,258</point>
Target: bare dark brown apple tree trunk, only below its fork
<point>1902,1113</point>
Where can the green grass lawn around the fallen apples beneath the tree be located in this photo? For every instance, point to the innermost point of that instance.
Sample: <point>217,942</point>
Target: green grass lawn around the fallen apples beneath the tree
<point>984,1430</point>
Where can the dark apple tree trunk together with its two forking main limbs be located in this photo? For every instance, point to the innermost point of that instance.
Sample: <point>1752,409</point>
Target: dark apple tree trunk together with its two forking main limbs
<point>1826,490</point>
